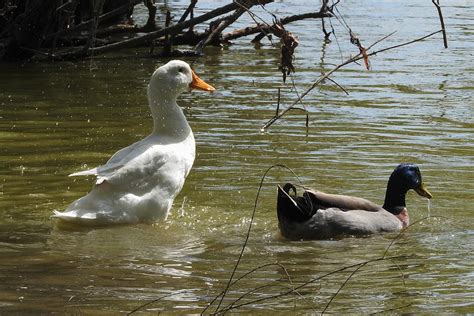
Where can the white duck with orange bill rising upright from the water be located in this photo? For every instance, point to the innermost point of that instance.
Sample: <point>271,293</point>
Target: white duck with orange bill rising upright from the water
<point>140,182</point>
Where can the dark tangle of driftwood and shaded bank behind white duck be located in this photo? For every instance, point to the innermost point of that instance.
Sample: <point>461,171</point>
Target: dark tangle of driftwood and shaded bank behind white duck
<point>73,29</point>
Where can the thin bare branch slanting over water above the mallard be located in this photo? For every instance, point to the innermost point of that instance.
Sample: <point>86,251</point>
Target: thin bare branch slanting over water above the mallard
<point>348,61</point>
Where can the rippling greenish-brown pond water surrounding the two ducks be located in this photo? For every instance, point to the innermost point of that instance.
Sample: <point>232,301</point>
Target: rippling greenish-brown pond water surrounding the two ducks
<point>415,105</point>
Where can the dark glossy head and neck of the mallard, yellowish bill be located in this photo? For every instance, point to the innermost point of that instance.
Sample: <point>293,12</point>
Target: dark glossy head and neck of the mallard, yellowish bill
<point>406,176</point>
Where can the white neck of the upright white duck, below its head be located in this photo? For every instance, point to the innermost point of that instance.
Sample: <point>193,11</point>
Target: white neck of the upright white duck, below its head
<point>168,118</point>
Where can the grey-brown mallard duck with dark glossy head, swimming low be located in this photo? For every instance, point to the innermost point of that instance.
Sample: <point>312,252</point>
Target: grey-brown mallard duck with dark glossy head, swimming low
<point>318,215</point>
